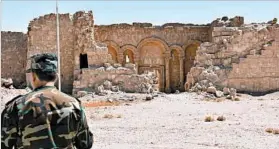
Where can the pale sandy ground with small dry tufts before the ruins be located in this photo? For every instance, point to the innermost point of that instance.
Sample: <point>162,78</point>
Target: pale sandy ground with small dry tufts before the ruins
<point>176,121</point>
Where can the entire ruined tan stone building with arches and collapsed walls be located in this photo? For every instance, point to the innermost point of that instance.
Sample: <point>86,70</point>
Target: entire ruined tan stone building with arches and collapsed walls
<point>183,56</point>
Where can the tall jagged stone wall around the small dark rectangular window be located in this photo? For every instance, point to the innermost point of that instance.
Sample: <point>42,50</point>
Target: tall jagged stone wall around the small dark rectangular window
<point>85,43</point>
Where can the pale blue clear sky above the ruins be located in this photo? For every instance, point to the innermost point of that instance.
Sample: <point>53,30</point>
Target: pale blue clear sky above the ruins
<point>16,15</point>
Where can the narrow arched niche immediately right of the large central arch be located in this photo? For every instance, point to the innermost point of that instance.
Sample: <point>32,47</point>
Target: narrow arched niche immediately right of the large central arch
<point>174,71</point>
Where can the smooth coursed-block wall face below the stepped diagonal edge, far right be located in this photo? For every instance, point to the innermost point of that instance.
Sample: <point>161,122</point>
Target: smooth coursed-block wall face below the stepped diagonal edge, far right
<point>257,73</point>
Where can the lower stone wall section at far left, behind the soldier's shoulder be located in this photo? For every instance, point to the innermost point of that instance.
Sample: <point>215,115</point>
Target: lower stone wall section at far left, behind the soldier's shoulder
<point>13,56</point>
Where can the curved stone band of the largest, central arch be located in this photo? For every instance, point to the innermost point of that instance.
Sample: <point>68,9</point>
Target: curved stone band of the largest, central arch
<point>154,40</point>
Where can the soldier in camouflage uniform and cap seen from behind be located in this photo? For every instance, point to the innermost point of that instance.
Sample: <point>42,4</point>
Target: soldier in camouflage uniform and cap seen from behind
<point>44,118</point>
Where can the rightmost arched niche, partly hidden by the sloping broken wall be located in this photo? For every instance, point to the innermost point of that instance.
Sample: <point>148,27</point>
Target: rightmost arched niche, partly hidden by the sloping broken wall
<point>190,54</point>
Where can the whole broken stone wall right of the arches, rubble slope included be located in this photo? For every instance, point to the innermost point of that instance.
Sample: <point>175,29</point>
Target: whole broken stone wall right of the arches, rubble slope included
<point>235,54</point>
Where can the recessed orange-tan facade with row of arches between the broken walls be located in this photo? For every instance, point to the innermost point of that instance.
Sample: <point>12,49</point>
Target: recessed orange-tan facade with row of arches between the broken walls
<point>168,49</point>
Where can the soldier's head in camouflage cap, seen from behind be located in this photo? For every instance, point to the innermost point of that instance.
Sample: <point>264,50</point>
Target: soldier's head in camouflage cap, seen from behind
<point>41,69</point>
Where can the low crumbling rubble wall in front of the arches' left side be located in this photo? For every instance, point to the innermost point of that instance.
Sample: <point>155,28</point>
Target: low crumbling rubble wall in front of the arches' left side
<point>126,78</point>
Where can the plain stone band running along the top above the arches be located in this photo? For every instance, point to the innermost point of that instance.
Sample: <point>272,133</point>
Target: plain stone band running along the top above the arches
<point>124,34</point>
